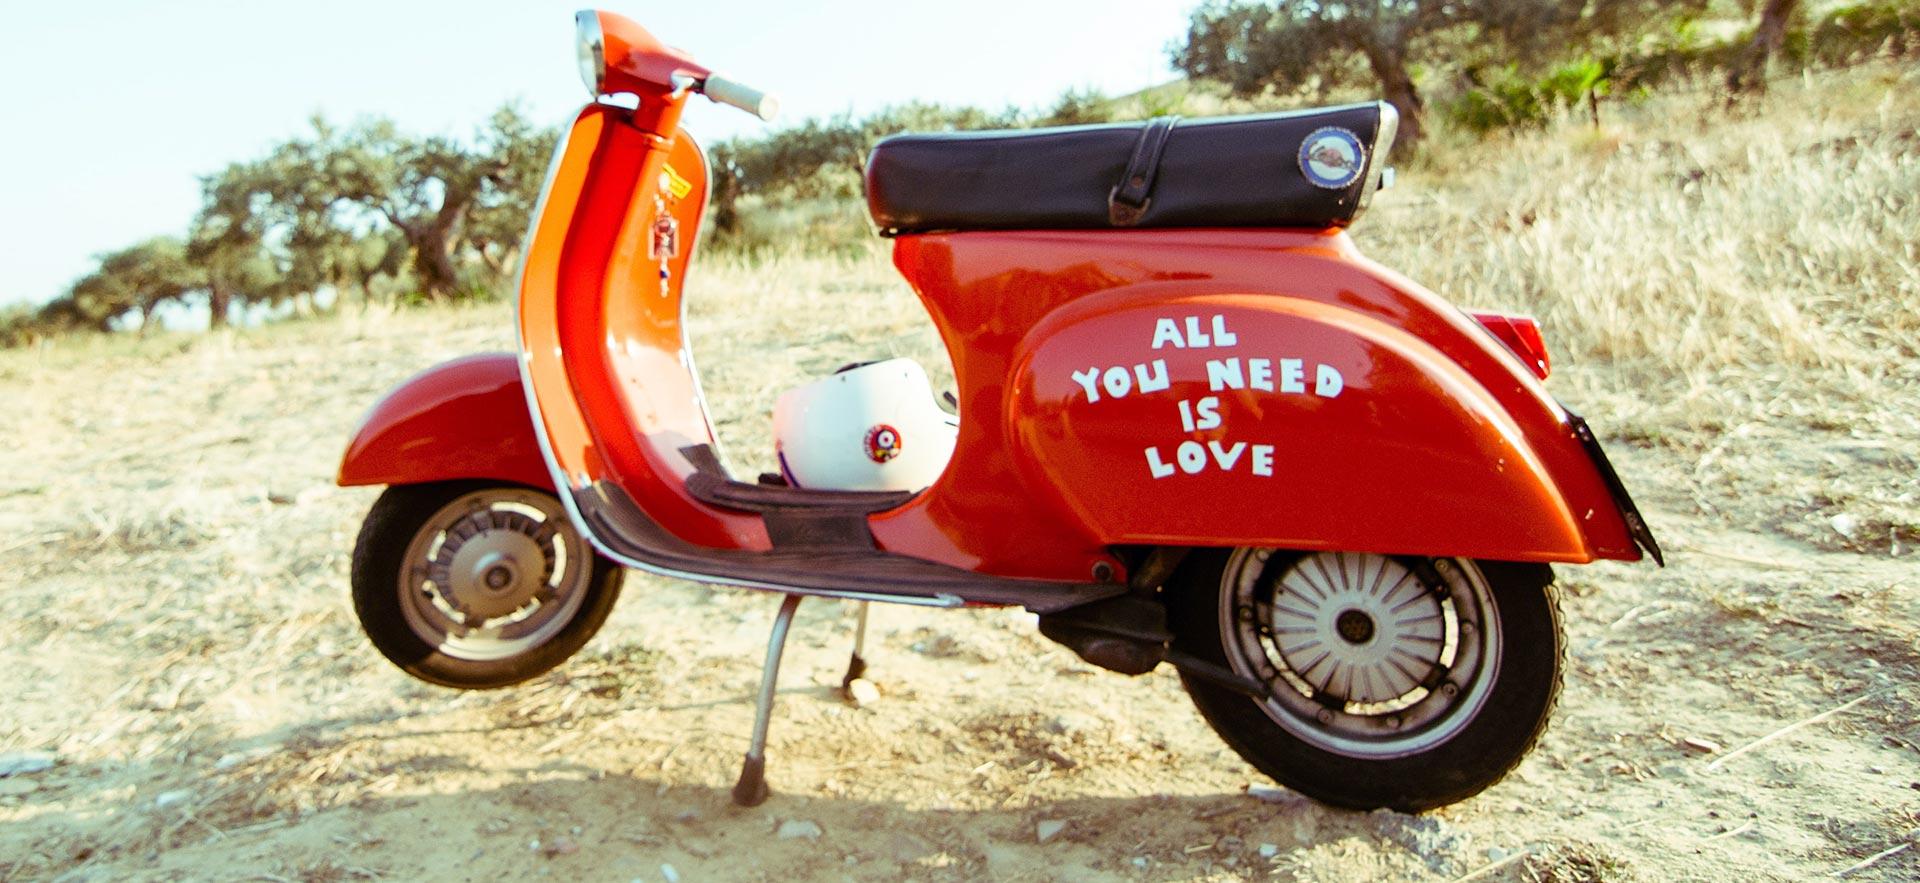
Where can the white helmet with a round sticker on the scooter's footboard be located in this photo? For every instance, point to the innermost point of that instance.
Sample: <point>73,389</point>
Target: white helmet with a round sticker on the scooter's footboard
<point>867,429</point>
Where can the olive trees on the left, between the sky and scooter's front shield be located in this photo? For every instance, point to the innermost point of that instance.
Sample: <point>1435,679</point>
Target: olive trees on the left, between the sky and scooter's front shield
<point>345,212</point>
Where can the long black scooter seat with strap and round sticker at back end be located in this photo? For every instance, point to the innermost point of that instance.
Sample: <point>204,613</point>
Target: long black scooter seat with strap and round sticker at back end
<point>1228,172</point>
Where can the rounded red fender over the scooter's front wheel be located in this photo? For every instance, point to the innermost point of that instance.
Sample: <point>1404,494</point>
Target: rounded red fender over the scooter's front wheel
<point>460,419</point>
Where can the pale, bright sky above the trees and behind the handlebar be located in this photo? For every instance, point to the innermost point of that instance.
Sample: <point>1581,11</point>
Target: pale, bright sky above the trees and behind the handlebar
<point>116,108</point>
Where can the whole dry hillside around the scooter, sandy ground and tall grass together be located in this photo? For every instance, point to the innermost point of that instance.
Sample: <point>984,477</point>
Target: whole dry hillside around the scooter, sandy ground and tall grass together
<point>1733,300</point>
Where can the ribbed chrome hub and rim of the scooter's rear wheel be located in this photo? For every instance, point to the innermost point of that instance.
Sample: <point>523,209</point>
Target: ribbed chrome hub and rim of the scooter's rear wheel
<point>1364,656</point>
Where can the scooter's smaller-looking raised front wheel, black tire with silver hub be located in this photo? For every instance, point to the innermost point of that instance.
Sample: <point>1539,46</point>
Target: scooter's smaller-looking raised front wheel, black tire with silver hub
<point>477,585</point>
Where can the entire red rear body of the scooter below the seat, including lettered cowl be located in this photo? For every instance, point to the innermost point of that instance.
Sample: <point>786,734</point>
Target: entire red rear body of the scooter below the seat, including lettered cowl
<point>1389,419</point>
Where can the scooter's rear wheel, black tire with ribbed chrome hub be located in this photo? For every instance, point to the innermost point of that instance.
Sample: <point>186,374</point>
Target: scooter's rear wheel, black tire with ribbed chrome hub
<point>1391,680</point>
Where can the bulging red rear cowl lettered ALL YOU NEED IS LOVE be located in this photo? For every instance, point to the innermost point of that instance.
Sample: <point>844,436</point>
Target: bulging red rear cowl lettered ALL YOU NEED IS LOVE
<point>1255,419</point>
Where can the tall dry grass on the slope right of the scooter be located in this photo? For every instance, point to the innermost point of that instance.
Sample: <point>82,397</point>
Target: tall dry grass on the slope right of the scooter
<point>1714,283</point>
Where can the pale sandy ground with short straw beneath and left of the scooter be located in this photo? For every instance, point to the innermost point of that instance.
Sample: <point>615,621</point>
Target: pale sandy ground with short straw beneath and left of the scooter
<point>180,644</point>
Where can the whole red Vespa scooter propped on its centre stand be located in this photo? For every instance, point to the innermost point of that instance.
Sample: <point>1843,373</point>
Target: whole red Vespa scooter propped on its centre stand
<point>1199,429</point>
